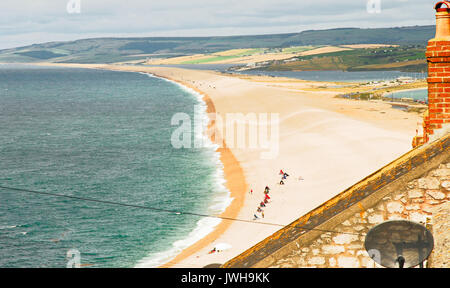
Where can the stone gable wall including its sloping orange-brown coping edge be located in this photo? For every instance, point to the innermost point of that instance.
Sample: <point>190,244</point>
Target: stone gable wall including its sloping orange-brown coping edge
<point>403,174</point>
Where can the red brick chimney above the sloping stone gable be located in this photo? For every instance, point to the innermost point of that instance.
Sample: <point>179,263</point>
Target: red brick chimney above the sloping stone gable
<point>437,120</point>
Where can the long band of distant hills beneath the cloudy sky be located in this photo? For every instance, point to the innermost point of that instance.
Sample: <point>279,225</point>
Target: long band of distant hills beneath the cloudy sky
<point>110,50</point>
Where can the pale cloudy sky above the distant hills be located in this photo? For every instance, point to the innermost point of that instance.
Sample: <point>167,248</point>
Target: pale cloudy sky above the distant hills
<point>25,22</point>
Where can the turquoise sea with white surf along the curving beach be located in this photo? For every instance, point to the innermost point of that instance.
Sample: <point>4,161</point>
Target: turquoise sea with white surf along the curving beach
<point>102,135</point>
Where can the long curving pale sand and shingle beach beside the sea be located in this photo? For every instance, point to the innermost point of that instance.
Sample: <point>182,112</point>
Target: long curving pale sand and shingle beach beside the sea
<point>315,127</point>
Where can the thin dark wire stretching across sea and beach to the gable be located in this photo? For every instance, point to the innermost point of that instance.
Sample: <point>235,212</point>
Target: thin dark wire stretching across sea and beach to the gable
<point>169,211</point>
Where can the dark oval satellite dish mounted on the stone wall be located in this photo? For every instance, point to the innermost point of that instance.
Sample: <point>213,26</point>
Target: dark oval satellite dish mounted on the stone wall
<point>399,244</point>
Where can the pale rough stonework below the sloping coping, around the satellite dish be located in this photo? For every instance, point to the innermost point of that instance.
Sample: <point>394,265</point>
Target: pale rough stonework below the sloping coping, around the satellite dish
<point>416,202</point>
